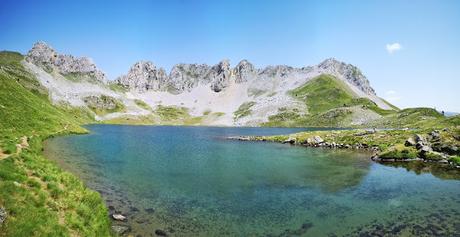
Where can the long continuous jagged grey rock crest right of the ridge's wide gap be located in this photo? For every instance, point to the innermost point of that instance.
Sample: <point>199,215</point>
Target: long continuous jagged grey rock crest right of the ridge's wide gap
<point>144,76</point>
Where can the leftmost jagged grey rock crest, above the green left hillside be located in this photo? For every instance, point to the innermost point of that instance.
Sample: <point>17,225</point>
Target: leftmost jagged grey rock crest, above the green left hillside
<point>46,57</point>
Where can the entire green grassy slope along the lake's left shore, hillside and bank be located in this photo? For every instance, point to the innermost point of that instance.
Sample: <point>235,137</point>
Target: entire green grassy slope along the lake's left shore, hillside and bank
<point>40,198</point>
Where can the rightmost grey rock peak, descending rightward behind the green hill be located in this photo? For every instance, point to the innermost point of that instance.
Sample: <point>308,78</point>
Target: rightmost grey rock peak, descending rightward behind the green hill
<point>349,72</point>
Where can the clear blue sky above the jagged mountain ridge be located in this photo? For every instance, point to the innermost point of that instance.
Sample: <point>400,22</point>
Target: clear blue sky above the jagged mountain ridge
<point>424,71</point>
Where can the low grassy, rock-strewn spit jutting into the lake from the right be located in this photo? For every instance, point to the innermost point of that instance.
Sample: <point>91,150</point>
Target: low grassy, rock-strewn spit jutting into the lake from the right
<point>437,146</point>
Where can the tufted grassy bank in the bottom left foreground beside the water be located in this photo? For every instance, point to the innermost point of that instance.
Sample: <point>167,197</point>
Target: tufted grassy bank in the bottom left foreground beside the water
<point>42,200</point>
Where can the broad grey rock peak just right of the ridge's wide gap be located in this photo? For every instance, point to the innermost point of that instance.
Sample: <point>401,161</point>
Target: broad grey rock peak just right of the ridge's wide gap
<point>144,76</point>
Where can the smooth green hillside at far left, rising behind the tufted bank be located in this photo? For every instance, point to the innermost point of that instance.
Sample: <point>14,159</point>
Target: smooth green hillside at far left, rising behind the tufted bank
<point>21,96</point>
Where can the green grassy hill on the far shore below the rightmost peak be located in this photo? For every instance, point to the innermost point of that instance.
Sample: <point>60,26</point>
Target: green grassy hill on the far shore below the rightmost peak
<point>329,101</point>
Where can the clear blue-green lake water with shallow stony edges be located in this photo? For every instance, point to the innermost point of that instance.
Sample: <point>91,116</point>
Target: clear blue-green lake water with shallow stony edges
<point>189,181</point>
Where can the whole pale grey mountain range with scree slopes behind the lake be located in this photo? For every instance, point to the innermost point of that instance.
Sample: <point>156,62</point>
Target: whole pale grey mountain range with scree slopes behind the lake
<point>208,95</point>
